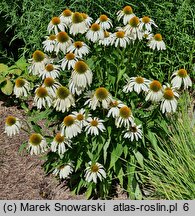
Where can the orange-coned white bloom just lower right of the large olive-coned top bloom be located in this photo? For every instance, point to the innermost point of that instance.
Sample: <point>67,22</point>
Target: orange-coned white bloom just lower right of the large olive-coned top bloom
<point>95,33</point>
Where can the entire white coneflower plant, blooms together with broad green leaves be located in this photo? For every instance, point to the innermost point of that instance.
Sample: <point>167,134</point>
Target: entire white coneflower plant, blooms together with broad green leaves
<point>98,99</point>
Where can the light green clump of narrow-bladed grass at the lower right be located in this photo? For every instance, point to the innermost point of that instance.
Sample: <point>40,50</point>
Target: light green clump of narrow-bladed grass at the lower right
<point>170,167</point>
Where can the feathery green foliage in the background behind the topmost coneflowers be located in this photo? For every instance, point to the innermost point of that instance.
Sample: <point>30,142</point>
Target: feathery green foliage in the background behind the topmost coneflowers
<point>176,21</point>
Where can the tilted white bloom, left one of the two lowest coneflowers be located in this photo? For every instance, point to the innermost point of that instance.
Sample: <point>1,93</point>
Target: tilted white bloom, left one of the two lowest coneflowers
<point>64,170</point>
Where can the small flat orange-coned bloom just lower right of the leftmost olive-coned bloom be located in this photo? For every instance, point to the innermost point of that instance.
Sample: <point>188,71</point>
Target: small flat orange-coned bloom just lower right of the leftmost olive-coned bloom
<point>50,70</point>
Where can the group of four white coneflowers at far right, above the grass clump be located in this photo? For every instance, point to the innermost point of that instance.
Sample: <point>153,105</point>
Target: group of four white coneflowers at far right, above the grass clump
<point>155,92</point>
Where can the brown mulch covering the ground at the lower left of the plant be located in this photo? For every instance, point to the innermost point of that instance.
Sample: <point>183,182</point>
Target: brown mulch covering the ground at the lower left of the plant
<point>21,175</point>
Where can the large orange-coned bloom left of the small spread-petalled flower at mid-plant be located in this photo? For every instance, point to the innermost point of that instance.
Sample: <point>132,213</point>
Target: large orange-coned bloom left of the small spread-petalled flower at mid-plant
<point>70,127</point>
